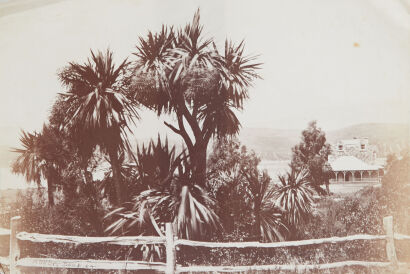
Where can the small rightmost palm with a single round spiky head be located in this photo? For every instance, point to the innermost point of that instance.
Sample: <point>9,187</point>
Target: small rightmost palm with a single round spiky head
<point>295,196</point>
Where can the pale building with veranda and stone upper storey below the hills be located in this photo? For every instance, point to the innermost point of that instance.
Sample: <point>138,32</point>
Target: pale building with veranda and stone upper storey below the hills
<point>355,160</point>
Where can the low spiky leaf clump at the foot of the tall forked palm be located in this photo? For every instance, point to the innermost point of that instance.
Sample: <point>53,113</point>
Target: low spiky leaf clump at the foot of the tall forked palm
<point>170,196</point>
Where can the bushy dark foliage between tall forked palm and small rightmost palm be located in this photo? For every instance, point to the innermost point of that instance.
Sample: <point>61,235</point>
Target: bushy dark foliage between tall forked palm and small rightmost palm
<point>244,194</point>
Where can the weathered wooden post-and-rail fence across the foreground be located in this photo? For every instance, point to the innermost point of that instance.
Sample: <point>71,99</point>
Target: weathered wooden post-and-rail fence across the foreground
<point>15,263</point>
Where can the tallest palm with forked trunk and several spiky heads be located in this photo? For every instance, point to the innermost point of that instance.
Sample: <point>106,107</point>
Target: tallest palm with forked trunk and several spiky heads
<point>181,73</point>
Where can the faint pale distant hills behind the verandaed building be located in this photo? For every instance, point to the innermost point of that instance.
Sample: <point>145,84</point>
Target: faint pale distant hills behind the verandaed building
<point>276,144</point>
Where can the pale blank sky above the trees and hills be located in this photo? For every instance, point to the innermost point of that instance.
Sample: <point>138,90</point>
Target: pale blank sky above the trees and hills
<point>339,62</point>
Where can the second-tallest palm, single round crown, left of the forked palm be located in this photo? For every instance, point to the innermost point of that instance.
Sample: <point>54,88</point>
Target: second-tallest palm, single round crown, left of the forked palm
<point>101,111</point>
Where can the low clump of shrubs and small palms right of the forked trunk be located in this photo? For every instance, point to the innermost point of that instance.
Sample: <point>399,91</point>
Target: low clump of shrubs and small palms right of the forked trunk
<point>250,202</point>
